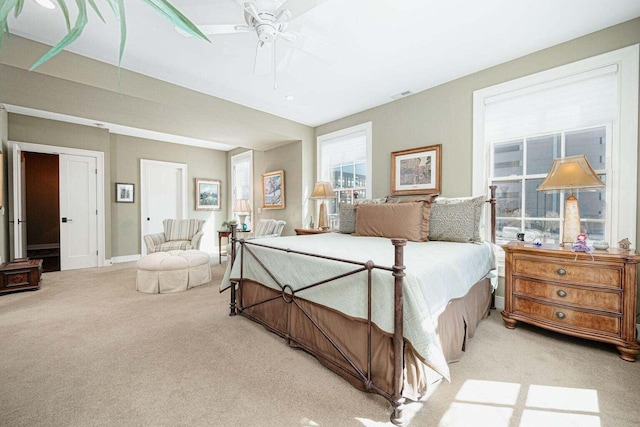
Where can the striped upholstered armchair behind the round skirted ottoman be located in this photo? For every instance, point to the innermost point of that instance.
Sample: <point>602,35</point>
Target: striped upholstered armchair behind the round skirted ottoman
<point>179,234</point>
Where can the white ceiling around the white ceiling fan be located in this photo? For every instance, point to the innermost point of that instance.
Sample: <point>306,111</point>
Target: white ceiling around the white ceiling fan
<point>371,50</point>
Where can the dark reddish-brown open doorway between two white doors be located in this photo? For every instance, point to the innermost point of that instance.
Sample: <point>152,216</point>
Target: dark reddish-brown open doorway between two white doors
<point>42,205</point>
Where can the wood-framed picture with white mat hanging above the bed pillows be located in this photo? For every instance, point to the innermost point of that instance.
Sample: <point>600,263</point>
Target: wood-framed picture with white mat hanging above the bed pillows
<point>416,171</point>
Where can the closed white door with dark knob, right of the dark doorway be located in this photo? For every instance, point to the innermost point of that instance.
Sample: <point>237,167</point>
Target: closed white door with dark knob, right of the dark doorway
<point>78,212</point>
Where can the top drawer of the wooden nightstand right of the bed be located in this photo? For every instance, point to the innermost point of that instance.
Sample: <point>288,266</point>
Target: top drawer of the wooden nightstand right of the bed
<point>598,275</point>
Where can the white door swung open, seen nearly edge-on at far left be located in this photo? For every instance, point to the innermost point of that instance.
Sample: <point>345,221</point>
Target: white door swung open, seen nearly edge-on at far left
<point>17,211</point>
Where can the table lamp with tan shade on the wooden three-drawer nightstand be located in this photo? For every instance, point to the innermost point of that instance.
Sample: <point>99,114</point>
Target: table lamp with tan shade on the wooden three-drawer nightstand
<point>569,173</point>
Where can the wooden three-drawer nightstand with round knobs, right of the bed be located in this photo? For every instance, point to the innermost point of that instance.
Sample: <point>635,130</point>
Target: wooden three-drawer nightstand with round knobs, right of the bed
<point>588,295</point>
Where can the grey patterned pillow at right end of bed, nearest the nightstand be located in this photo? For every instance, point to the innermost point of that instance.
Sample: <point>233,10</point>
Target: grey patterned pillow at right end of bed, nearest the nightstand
<point>452,218</point>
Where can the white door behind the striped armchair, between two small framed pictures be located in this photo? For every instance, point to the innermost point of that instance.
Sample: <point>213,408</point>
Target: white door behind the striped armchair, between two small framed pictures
<point>163,195</point>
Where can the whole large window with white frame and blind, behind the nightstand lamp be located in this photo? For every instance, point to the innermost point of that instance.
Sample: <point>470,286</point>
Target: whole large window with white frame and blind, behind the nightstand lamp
<point>588,107</point>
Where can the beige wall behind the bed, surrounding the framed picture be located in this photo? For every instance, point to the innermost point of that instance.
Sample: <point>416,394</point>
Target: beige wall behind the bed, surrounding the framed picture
<point>443,115</point>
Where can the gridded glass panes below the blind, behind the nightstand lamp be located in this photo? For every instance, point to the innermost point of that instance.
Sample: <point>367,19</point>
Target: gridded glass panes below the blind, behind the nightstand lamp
<point>519,167</point>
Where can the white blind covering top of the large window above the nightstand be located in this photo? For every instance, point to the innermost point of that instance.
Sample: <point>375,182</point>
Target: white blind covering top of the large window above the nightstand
<point>578,101</point>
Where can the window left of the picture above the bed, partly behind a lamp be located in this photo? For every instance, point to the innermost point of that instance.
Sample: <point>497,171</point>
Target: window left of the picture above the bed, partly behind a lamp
<point>344,160</point>
